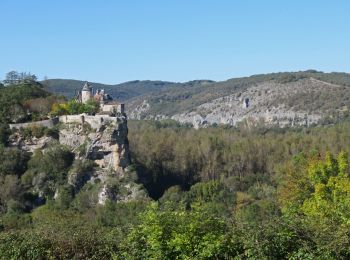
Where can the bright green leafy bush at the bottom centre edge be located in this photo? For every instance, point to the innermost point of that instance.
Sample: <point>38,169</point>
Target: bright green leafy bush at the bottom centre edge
<point>179,234</point>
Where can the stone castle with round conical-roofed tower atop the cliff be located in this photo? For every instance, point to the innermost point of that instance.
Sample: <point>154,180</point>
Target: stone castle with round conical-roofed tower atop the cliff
<point>107,104</point>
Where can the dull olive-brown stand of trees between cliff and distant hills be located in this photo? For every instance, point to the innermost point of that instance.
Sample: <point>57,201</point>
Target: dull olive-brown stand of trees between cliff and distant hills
<point>180,156</point>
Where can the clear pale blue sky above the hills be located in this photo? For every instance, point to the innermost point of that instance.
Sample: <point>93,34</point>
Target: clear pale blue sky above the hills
<point>113,41</point>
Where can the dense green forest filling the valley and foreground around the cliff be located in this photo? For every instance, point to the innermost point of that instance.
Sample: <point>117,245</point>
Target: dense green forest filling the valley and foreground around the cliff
<point>216,193</point>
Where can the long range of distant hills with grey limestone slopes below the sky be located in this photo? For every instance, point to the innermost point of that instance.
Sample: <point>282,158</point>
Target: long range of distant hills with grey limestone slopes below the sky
<point>286,98</point>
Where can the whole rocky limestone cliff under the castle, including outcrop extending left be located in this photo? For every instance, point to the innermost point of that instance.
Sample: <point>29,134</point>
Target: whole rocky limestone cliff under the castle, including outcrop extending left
<point>101,152</point>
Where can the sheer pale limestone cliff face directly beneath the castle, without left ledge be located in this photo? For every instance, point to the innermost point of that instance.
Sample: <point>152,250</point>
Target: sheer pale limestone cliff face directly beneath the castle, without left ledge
<point>107,145</point>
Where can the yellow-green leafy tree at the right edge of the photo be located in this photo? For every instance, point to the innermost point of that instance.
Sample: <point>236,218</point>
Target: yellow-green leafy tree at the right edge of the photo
<point>325,205</point>
